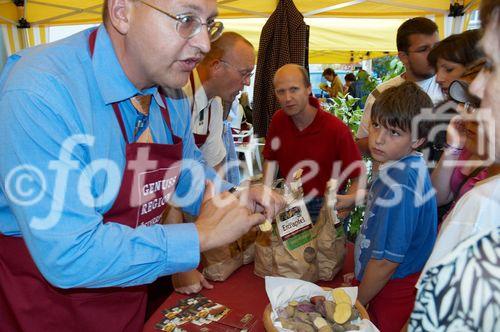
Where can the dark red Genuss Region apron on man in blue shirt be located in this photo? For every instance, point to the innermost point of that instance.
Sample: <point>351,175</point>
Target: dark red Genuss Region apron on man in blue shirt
<point>29,303</point>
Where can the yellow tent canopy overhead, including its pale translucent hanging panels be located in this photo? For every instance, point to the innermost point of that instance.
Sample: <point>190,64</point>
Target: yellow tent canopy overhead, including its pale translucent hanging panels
<point>332,39</point>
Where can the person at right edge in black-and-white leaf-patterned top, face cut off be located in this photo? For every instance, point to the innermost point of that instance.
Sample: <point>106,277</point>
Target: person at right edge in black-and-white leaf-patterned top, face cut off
<point>458,288</point>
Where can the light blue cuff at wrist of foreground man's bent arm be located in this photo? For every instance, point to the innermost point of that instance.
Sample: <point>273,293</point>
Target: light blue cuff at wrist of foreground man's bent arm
<point>183,248</point>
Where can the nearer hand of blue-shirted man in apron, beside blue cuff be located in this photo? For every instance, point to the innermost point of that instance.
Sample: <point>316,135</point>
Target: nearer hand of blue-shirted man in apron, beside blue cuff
<point>223,219</point>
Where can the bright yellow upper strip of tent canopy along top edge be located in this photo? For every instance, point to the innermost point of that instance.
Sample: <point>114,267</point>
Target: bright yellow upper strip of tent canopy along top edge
<point>88,11</point>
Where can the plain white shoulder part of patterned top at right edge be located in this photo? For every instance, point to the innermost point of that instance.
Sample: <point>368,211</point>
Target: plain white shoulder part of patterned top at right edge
<point>477,211</point>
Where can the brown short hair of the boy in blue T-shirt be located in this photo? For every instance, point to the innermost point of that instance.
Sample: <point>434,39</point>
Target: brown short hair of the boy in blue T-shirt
<point>397,106</point>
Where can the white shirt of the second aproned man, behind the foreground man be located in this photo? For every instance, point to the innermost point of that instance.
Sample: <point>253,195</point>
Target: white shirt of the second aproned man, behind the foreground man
<point>213,149</point>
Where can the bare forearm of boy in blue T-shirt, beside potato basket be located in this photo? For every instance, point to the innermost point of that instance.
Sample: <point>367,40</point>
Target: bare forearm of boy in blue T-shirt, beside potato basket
<point>377,274</point>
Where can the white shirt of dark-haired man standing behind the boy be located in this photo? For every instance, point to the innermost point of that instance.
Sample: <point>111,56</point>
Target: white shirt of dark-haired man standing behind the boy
<point>429,86</point>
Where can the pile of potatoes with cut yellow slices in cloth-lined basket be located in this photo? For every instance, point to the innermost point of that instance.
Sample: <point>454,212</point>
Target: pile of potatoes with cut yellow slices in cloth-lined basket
<point>319,314</point>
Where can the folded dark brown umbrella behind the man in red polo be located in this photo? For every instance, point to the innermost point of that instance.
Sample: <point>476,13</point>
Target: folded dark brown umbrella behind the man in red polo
<point>284,39</point>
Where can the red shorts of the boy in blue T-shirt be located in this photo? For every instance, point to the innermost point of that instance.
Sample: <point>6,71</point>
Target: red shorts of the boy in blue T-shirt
<point>392,306</point>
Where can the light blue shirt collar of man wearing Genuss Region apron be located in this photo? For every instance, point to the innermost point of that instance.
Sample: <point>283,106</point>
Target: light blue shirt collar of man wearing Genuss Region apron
<point>112,82</point>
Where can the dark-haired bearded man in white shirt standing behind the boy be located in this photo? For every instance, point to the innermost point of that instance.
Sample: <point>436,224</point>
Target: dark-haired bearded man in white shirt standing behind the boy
<point>415,39</point>
